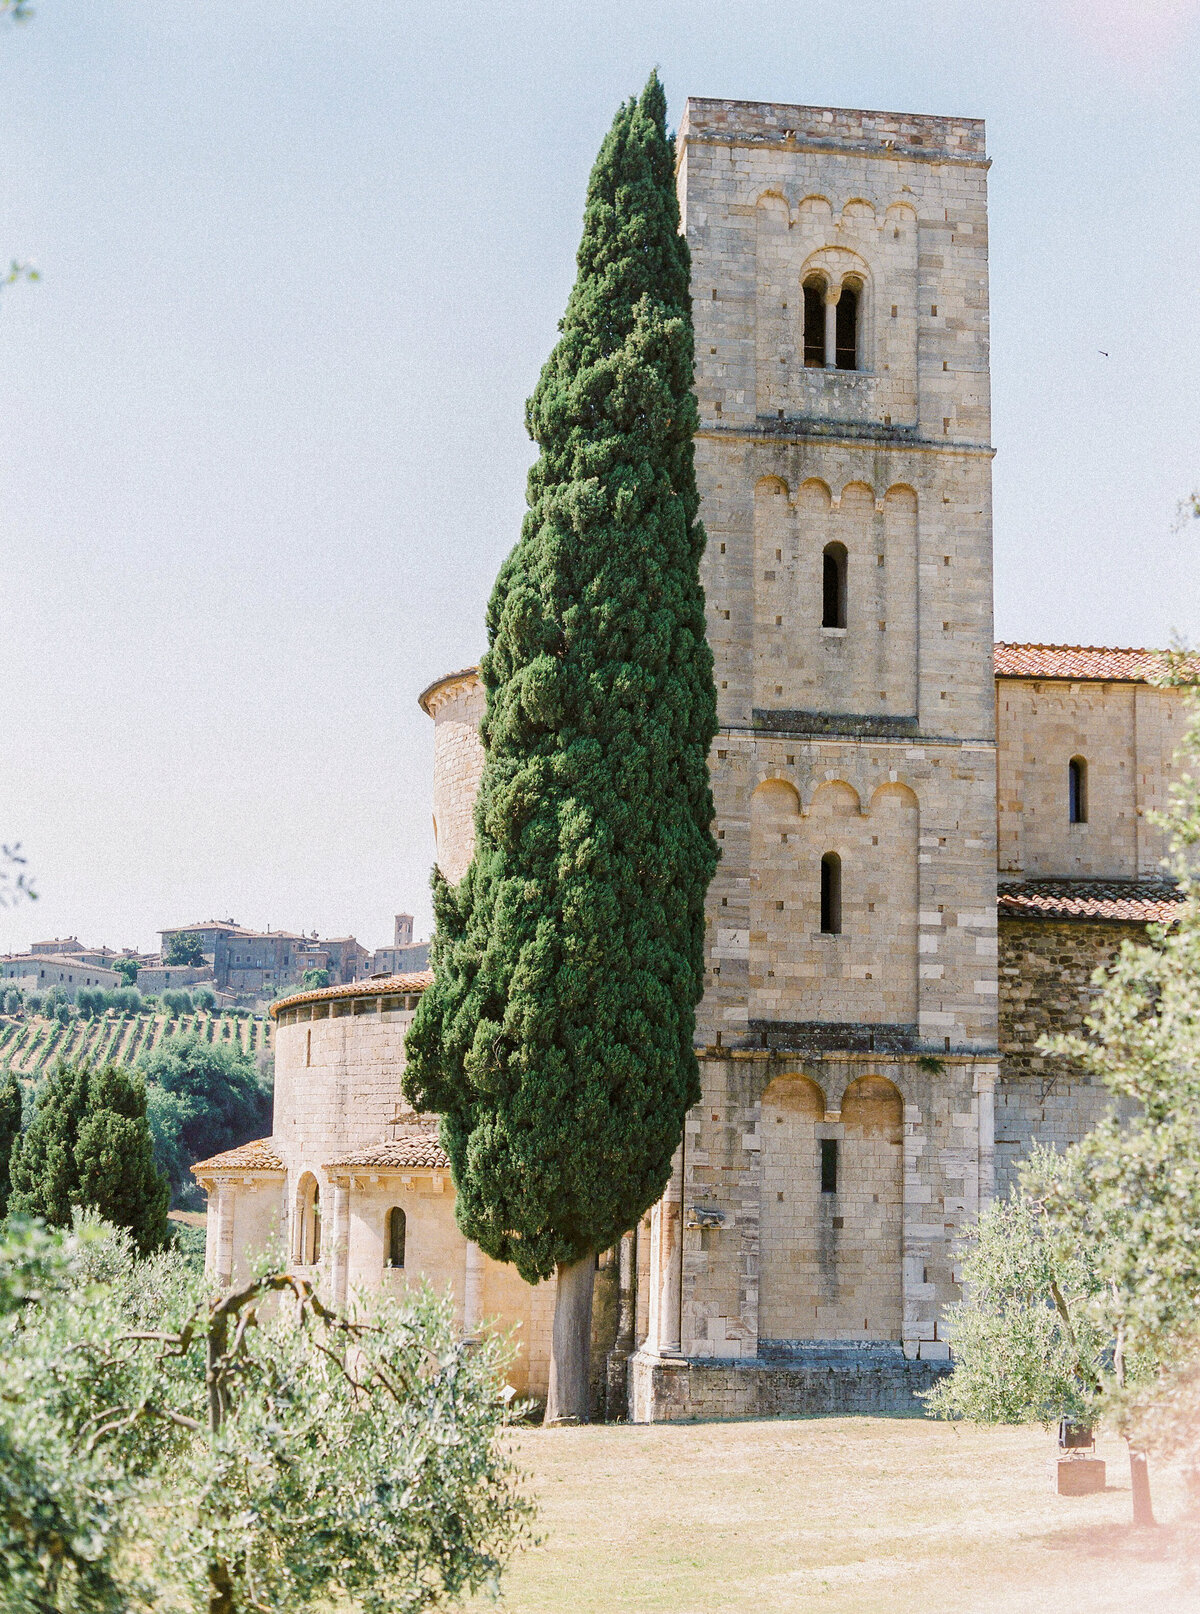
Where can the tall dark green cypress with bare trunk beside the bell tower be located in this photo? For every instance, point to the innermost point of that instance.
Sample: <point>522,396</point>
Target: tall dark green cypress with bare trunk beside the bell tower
<point>558,1035</point>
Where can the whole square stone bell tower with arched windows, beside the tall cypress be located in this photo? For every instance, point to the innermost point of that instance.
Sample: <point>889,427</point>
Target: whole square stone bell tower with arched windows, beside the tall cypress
<point>849,1027</point>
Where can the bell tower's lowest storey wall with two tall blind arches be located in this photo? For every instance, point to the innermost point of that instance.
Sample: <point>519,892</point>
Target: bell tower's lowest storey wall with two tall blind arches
<point>773,1271</point>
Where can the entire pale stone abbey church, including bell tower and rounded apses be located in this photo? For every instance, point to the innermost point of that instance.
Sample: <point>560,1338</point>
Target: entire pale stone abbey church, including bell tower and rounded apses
<point>902,905</point>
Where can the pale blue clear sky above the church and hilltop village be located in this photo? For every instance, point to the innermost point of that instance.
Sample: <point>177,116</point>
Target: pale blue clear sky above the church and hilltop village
<point>264,443</point>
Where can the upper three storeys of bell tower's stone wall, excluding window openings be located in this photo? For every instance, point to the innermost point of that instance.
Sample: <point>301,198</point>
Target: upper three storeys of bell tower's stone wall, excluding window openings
<point>892,461</point>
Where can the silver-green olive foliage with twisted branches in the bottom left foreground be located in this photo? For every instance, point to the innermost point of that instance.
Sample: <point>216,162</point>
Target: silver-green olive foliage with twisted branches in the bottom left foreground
<point>169,1450</point>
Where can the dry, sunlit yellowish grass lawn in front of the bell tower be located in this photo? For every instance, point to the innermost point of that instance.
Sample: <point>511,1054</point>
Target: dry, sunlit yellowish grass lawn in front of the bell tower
<point>842,1515</point>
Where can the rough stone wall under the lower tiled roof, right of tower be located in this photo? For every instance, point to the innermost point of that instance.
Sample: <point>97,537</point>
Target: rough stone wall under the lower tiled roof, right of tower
<point>1046,987</point>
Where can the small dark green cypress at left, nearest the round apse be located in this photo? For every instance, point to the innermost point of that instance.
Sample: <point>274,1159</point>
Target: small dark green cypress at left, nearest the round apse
<point>115,1163</point>
